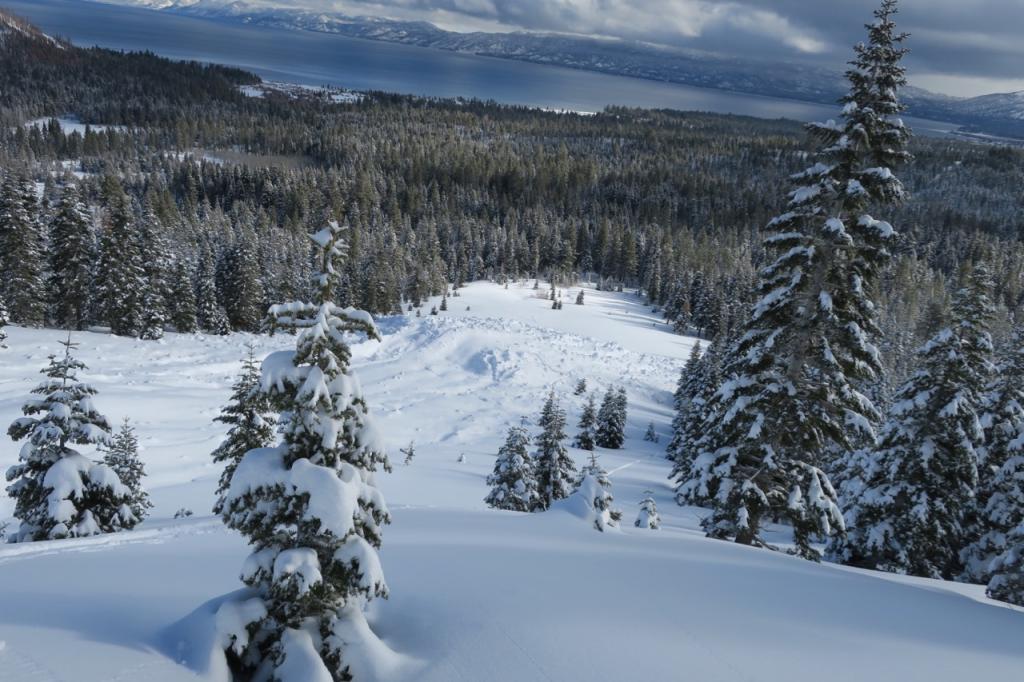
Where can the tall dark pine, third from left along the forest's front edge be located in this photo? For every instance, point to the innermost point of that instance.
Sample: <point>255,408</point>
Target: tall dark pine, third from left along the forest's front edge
<point>121,276</point>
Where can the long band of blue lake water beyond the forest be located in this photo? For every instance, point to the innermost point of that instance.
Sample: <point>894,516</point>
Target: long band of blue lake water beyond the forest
<point>314,59</point>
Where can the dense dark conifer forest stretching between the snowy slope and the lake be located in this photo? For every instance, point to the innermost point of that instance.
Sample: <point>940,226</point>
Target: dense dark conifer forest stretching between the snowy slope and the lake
<point>191,201</point>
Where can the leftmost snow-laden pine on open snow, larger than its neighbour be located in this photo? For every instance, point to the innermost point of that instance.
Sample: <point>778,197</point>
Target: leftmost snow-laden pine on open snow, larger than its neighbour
<point>58,492</point>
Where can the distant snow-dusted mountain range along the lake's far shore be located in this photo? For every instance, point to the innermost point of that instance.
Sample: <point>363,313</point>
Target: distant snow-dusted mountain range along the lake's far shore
<point>995,114</point>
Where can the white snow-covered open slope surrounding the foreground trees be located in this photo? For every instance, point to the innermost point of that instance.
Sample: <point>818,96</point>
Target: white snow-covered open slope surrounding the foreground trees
<point>477,594</point>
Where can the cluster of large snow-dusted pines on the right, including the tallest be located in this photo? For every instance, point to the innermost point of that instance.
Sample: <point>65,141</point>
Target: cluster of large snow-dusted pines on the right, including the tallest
<point>779,423</point>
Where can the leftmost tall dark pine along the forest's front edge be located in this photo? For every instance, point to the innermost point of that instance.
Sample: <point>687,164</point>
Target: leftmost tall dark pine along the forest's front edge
<point>22,249</point>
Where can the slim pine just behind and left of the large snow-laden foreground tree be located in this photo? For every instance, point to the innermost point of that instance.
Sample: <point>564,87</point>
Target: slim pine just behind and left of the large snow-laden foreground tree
<point>250,421</point>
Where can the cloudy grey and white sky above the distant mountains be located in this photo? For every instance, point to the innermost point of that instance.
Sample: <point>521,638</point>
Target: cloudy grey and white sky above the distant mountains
<point>961,48</point>
